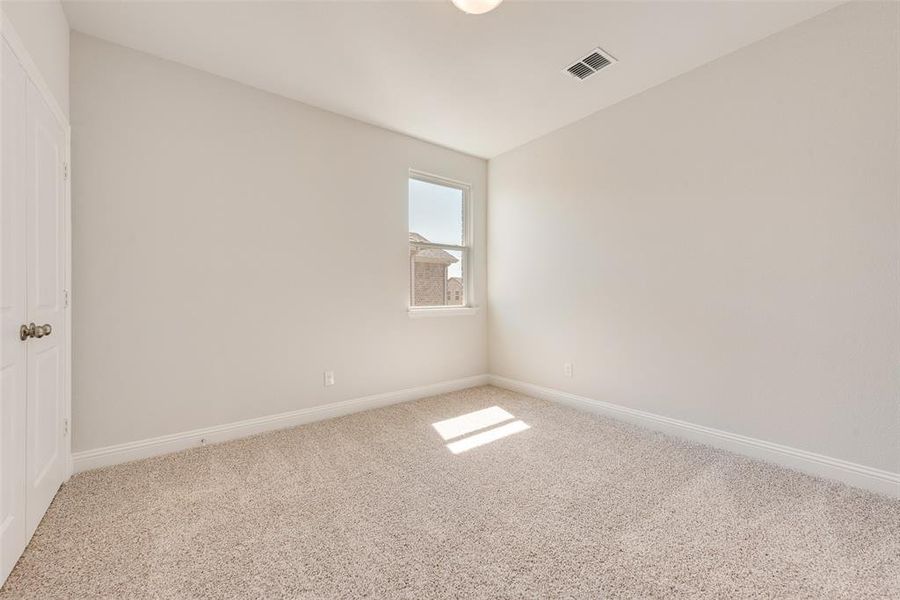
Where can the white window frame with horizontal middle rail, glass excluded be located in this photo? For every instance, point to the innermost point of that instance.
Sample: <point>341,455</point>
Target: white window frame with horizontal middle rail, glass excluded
<point>465,250</point>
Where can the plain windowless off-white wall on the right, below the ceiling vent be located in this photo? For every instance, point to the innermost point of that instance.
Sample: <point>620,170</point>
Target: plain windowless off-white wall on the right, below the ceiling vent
<point>723,248</point>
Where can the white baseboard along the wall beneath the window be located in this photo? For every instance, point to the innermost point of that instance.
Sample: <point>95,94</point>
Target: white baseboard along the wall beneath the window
<point>166,444</point>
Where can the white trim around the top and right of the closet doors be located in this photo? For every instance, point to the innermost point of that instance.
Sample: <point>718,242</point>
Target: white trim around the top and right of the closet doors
<point>8,32</point>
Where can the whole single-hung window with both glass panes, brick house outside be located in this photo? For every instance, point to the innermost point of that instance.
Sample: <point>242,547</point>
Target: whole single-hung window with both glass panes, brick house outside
<point>438,241</point>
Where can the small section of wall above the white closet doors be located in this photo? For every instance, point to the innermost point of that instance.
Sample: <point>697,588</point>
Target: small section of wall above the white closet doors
<point>44,30</point>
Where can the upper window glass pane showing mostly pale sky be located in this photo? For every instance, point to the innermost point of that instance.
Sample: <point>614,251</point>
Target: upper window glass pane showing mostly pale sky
<point>436,212</point>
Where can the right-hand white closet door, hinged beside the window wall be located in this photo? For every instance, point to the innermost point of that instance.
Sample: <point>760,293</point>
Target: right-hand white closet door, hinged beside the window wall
<point>45,193</point>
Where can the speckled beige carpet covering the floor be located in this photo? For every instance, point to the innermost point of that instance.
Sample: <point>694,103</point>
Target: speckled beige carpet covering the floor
<point>375,505</point>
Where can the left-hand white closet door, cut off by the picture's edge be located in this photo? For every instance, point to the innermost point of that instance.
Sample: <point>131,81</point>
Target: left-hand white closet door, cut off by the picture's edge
<point>13,92</point>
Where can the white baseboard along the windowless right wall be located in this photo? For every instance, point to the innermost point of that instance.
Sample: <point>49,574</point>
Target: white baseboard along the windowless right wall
<point>857,475</point>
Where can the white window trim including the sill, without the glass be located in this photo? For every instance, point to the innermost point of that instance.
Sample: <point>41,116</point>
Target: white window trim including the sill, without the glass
<point>466,249</point>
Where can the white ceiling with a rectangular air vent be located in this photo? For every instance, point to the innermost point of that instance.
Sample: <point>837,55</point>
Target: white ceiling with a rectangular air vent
<point>480,84</point>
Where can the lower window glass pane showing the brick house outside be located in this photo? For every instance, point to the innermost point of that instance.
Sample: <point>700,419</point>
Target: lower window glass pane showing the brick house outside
<point>436,277</point>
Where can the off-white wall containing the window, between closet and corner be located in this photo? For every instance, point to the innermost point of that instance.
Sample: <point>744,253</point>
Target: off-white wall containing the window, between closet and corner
<point>230,245</point>
